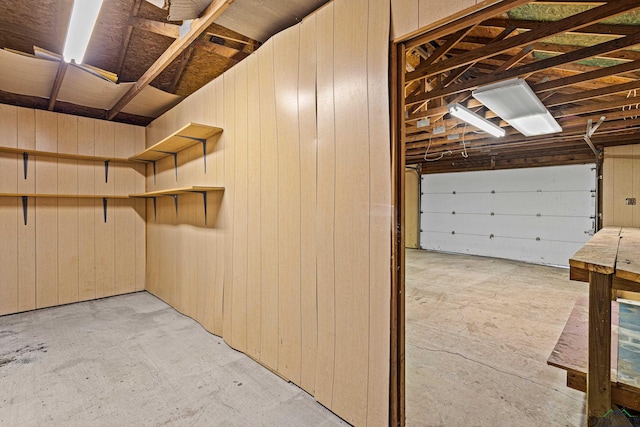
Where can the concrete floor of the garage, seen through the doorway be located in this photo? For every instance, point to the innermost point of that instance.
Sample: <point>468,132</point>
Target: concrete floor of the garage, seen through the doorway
<point>478,334</point>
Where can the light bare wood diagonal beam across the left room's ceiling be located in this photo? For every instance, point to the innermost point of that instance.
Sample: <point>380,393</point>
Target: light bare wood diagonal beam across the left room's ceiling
<point>198,26</point>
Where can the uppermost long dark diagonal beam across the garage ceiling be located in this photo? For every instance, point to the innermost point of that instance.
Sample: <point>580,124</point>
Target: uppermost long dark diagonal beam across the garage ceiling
<point>537,34</point>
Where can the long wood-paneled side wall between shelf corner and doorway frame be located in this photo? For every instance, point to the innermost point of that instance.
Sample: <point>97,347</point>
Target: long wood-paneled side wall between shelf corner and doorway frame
<point>292,266</point>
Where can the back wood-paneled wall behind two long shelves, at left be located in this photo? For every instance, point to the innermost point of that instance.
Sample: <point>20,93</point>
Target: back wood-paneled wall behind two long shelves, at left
<point>66,252</point>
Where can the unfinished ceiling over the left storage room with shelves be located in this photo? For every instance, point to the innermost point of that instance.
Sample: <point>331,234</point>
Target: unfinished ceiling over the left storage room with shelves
<point>131,40</point>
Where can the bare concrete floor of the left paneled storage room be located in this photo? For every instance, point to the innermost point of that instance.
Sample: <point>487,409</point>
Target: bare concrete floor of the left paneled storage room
<point>132,360</point>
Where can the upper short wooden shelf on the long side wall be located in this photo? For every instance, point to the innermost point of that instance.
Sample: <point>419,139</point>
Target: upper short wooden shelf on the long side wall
<point>189,135</point>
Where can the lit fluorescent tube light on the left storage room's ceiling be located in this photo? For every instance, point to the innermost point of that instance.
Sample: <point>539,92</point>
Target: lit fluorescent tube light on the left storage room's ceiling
<point>83,18</point>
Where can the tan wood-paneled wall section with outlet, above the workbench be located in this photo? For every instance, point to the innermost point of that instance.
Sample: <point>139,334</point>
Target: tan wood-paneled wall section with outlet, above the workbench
<point>621,180</point>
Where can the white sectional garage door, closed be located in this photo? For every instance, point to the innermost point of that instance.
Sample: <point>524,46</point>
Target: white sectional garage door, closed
<point>539,215</point>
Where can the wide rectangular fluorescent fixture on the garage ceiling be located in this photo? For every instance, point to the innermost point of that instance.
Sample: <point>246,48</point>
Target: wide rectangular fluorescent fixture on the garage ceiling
<point>515,102</point>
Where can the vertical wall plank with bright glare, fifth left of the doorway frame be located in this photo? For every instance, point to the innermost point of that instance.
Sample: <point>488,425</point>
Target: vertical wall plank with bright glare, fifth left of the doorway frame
<point>286,48</point>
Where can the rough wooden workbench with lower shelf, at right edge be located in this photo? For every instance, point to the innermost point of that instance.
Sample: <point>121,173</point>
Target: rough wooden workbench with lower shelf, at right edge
<point>609,261</point>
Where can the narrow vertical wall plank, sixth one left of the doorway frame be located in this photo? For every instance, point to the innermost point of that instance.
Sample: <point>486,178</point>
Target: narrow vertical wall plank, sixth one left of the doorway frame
<point>268,209</point>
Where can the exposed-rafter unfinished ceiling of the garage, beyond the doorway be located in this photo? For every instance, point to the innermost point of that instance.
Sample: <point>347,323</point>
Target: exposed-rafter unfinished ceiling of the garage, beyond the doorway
<point>581,58</point>
